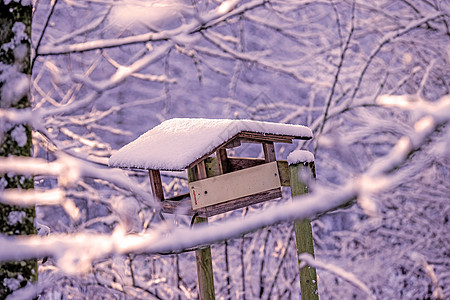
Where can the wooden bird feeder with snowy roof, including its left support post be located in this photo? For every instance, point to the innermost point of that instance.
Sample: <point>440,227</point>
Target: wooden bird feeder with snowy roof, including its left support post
<point>218,183</point>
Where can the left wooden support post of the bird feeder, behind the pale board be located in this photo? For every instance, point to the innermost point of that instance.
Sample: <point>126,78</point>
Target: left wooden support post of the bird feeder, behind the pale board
<point>203,257</point>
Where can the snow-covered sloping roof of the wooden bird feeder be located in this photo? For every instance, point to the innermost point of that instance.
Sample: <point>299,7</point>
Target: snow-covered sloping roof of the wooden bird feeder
<point>176,143</point>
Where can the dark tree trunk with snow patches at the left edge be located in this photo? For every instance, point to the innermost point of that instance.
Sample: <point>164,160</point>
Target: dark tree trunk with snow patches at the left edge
<point>15,35</point>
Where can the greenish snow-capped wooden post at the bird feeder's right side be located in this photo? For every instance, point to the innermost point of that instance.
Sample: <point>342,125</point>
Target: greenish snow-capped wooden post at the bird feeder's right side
<point>300,174</point>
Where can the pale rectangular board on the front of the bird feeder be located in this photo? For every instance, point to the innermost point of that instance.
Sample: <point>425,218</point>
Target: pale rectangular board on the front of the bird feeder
<point>226,187</point>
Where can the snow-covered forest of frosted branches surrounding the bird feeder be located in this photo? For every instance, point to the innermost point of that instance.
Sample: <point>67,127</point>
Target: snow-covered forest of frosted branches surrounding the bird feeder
<point>370,78</point>
